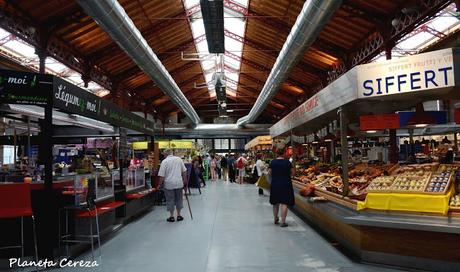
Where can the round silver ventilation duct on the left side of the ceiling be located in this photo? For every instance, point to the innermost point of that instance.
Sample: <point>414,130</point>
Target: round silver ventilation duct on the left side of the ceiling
<point>111,16</point>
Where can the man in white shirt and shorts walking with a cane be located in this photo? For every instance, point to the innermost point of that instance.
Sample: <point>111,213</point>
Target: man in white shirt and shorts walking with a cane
<point>173,174</point>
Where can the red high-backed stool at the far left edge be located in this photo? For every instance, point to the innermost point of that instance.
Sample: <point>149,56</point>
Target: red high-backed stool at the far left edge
<point>15,202</point>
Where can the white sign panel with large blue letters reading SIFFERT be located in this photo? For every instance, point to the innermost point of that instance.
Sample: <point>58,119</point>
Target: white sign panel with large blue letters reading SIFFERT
<point>409,74</point>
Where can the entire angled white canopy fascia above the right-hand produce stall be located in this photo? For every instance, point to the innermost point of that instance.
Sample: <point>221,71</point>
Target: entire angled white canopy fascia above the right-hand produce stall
<point>427,75</point>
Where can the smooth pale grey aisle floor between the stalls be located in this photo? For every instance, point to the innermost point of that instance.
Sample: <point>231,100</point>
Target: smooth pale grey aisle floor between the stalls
<point>232,230</point>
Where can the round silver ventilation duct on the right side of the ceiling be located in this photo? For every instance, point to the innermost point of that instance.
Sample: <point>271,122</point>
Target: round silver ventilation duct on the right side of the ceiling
<point>311,20</point>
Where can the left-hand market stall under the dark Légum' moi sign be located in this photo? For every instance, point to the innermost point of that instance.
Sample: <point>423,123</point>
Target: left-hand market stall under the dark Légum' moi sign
<point>73,149</point>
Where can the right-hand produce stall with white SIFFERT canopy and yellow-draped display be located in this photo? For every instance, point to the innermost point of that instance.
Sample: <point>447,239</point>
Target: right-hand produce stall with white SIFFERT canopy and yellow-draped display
<point>363,203</point>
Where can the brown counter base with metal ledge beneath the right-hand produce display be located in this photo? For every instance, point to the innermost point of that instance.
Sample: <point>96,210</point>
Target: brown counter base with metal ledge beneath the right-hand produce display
<point>405,240</point>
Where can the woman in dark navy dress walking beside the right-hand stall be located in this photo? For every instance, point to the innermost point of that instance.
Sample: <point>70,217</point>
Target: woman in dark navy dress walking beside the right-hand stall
<point>281,191</point>
